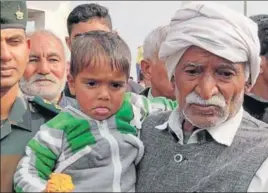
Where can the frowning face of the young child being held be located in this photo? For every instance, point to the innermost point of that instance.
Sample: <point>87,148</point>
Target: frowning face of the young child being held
<point>99,90</point>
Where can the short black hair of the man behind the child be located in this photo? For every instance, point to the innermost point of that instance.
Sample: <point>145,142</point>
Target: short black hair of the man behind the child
<point>86,12</point>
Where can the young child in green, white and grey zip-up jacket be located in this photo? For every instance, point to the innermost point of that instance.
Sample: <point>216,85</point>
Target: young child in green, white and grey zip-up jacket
<point>97,145</point>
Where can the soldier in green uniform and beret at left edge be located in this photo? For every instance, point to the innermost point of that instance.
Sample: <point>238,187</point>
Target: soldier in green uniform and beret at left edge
<point>21,117</point>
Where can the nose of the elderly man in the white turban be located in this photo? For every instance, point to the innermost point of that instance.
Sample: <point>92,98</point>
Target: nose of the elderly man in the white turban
<point>207,87</point>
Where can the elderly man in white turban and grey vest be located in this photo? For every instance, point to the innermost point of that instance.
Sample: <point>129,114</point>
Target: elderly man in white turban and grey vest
<point>209,143</point>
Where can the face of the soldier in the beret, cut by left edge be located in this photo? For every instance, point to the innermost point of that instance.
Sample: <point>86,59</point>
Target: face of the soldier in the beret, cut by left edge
<point>14,56</point>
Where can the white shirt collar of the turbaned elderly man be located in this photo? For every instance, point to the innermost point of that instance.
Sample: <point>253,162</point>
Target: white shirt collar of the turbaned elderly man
<point>223,134</point>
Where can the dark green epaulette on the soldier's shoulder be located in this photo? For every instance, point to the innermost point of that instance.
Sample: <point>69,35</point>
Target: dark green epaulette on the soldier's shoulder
<point>44,104</point>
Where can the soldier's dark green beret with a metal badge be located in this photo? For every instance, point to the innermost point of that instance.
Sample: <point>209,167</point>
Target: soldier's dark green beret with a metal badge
<point>14,14</point>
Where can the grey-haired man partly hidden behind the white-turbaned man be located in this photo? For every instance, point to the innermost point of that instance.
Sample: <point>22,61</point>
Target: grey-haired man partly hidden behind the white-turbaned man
<point>153,68</point>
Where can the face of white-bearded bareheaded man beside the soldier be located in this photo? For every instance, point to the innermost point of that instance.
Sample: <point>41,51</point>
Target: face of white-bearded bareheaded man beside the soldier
<point>45,74</point>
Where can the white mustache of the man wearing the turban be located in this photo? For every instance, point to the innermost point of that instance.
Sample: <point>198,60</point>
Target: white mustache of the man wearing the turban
<point>216,100</point>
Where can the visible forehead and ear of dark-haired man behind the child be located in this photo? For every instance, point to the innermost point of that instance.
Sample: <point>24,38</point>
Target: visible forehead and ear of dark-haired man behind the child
<point>83,27</point>
